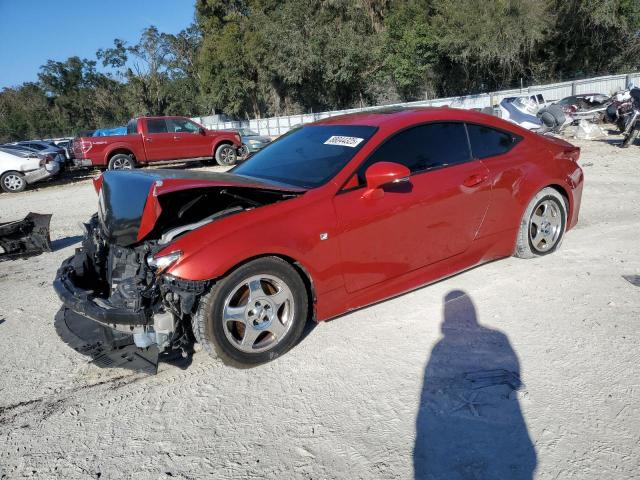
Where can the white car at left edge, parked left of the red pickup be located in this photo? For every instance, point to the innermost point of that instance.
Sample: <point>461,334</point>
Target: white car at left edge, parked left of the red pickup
<point>19,168</point>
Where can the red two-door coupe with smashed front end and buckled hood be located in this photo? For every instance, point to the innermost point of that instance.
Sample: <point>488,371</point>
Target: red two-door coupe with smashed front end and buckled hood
<point>332,216</point>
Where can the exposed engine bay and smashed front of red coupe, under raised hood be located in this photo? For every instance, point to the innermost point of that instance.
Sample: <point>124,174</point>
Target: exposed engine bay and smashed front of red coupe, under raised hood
<point>112,281</point>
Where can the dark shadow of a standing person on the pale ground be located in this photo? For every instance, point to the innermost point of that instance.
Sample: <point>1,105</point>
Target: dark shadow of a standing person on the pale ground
<point>469,424</point>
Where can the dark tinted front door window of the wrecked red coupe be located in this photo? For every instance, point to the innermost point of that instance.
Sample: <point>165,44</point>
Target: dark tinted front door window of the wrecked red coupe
<point>422,148</point>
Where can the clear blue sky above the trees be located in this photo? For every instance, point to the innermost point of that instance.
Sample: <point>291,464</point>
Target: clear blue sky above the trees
<point>34,31</point>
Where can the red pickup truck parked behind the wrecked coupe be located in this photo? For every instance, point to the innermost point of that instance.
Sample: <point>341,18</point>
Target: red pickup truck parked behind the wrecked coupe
<point>157,139</point>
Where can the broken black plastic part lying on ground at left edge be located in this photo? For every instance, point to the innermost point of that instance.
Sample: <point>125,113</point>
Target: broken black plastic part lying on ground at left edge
<point>25,238</point>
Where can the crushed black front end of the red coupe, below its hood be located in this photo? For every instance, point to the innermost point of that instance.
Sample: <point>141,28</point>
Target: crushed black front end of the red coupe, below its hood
<point>120,310</point>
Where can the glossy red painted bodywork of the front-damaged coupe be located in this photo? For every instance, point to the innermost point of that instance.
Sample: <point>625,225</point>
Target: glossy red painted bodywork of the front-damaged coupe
<point>406,234</point>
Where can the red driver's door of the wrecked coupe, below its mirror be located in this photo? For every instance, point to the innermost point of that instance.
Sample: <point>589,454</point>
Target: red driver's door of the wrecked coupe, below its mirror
<point>434,217</point>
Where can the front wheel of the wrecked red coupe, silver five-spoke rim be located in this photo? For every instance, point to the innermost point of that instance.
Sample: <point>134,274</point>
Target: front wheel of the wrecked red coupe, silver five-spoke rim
<point>254,314</point>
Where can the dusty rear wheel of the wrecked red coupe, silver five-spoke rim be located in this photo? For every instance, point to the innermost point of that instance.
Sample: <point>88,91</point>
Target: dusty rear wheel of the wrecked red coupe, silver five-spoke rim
<point>543,224</point>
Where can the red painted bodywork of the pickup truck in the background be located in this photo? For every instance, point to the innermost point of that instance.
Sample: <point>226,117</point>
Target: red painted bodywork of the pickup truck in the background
<point>153,147</point>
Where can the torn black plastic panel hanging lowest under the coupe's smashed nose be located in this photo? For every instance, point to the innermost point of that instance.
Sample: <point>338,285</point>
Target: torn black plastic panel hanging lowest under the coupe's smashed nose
<point>105,347</point>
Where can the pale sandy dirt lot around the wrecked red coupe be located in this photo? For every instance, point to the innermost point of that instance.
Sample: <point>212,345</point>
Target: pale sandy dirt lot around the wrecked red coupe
<point>381,393</point>
